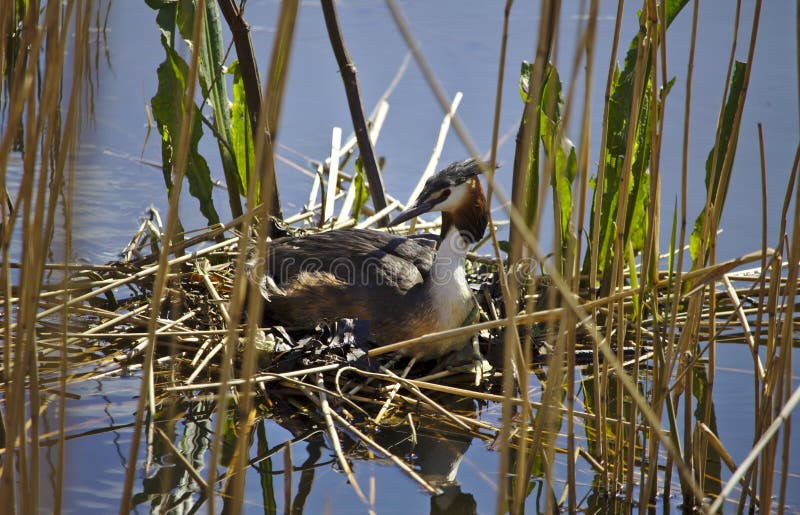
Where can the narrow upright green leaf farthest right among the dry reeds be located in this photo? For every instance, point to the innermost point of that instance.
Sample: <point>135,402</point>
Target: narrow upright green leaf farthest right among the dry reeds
<point>723,152</point>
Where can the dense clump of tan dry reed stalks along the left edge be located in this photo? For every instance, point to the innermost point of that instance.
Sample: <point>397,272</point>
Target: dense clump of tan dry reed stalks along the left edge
<point>48,127</point>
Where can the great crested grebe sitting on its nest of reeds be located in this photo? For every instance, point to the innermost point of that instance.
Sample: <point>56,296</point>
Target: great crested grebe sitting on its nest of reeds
<point>405,287</point>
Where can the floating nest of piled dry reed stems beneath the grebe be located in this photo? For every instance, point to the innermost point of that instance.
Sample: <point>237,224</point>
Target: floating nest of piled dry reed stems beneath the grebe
<point>327,380</point>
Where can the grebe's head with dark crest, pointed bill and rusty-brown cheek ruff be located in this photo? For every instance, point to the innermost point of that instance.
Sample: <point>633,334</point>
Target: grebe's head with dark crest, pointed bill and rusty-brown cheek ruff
<point>455,191</point>
